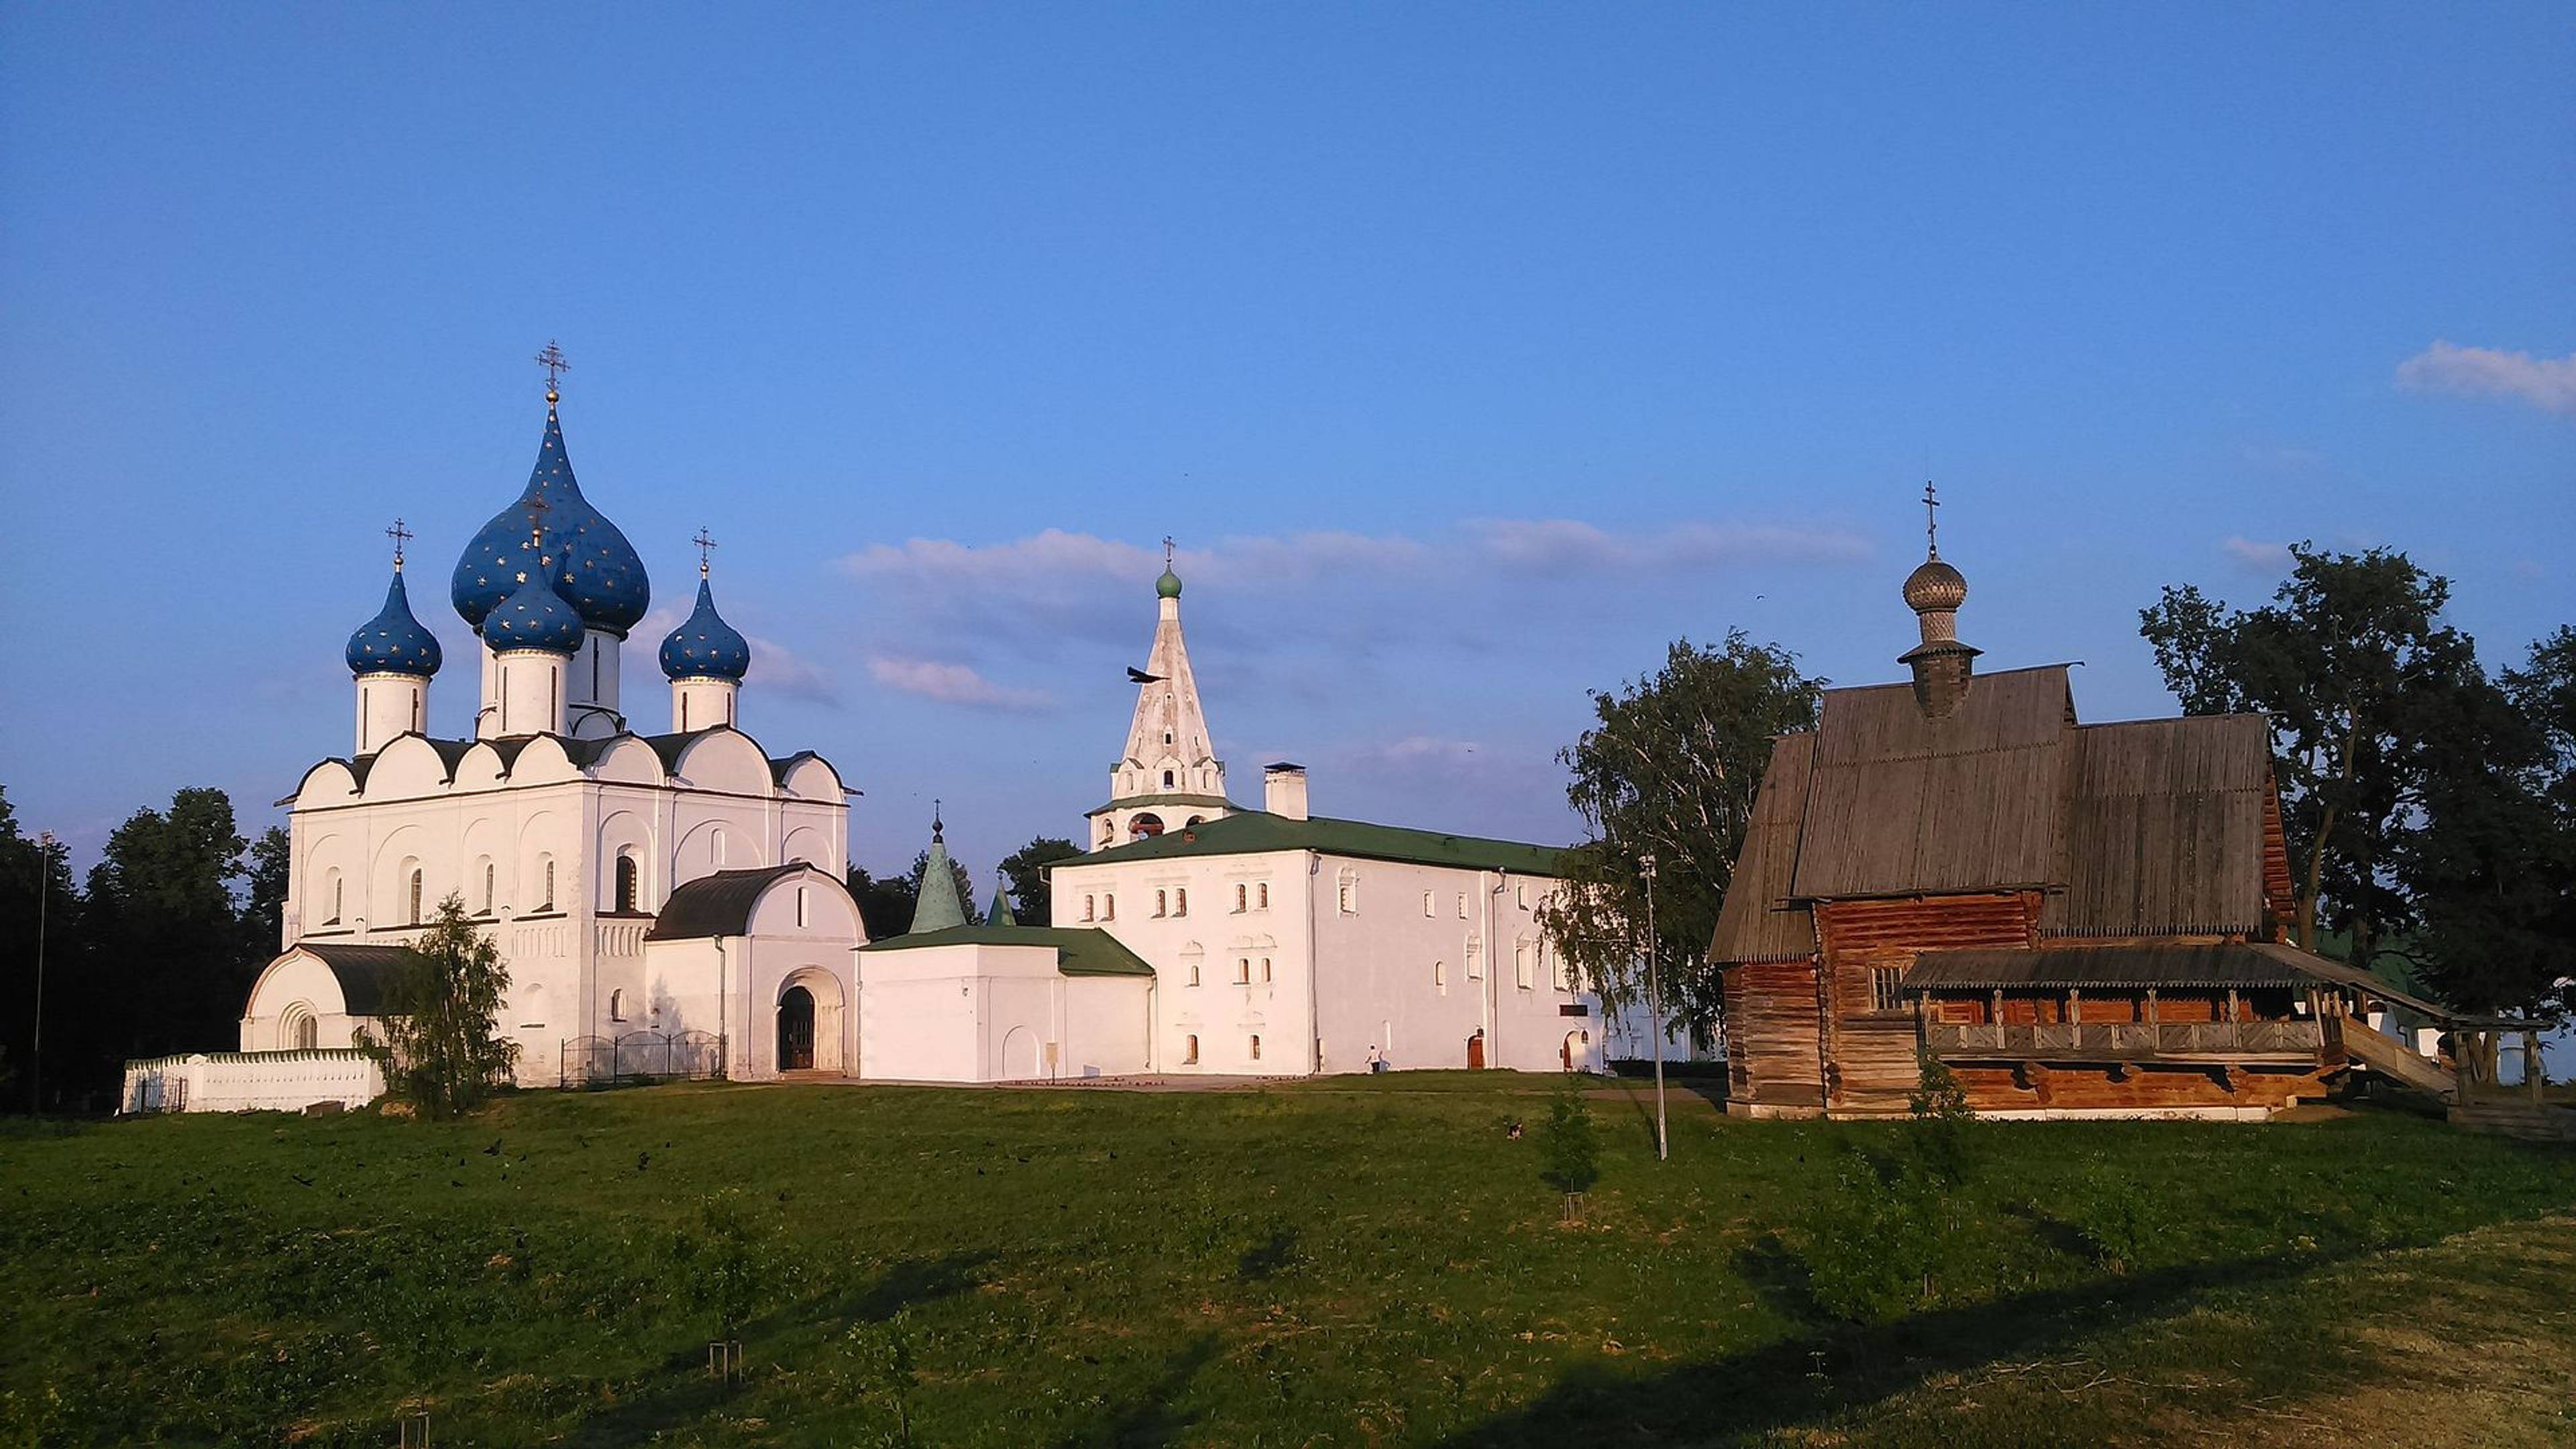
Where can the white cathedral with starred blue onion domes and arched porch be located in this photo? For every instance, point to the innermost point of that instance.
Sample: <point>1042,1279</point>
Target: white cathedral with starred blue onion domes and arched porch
<point>679,888</point>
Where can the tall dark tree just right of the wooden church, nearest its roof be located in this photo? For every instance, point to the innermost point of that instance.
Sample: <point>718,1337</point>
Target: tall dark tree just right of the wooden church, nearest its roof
<point>2358,677</point>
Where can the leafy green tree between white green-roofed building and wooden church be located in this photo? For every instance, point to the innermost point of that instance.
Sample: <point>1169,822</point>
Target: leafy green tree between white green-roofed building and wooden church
<point>1671,770</point>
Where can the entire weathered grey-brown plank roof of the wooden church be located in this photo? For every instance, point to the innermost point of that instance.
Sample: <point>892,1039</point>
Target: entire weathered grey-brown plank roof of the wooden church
<point>2139,829</point>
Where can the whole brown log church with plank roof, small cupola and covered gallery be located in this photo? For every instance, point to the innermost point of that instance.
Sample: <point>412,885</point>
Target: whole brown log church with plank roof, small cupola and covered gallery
<point>2075,919</point>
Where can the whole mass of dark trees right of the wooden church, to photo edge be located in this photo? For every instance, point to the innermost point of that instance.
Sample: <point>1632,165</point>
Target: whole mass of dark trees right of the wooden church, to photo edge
<point>2425,803</point>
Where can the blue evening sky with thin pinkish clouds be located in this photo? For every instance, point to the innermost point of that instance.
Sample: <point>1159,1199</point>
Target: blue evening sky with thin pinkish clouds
<point>1470,352</point>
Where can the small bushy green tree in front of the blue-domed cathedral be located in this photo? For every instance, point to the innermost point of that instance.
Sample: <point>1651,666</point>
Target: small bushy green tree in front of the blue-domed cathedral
<point>439,1045</point>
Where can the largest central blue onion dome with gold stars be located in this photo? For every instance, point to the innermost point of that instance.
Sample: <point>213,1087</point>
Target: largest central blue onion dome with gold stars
<point>596,569</point>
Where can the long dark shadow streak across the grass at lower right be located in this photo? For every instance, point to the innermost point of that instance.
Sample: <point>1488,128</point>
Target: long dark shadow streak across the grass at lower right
<point>1830,1370</point>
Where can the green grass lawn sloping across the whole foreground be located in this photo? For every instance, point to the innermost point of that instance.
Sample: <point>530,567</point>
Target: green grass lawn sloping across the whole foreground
<point>1341,1262</point>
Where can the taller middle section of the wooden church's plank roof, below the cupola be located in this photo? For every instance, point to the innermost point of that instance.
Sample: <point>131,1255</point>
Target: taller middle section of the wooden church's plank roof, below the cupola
<point>1910,806</point>
